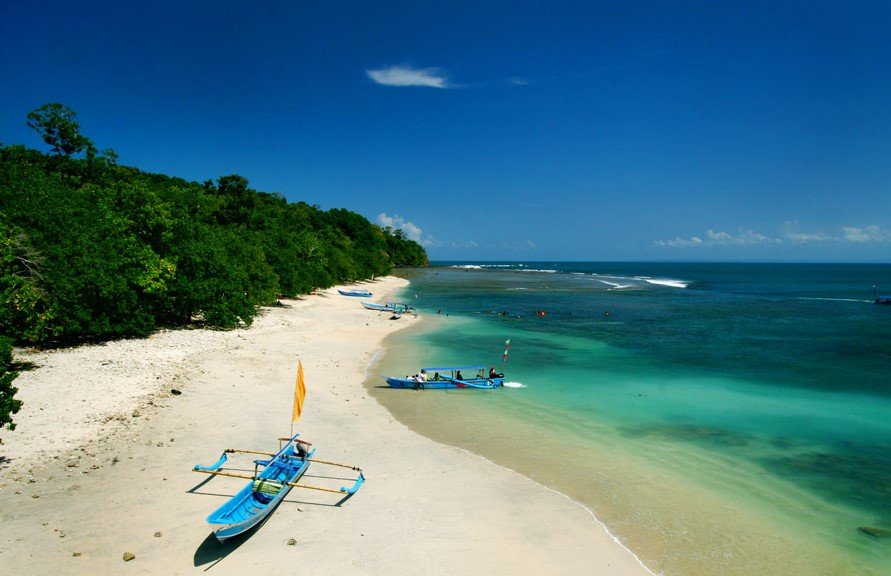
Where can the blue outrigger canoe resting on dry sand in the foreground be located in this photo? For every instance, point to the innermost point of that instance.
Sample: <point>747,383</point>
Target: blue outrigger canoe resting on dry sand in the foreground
<point>266,489</point>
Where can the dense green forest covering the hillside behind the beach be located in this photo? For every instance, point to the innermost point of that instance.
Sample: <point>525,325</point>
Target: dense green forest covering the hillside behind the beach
<point>92,250</point>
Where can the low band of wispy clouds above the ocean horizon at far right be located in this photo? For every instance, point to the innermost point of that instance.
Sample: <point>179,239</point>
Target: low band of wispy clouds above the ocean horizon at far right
<point>791,233</point>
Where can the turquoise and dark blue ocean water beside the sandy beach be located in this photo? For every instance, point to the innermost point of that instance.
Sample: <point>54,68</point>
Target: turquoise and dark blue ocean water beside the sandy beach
<point>718,418</point>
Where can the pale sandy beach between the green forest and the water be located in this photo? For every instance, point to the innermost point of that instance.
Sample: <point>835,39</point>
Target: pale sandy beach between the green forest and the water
<point>100,463</point>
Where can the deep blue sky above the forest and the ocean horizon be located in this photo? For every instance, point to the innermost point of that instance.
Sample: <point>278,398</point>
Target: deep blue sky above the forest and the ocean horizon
<point>694,130</point>
